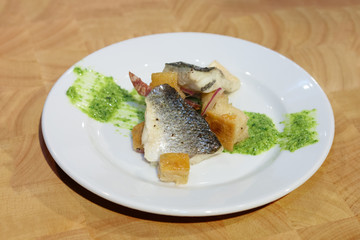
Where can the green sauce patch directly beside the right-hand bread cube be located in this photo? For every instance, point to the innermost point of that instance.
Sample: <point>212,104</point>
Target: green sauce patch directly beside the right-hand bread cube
<point>263,135</point>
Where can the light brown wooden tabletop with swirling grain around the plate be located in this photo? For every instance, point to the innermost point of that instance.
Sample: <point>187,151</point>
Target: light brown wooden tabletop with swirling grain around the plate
<point>40,39</point>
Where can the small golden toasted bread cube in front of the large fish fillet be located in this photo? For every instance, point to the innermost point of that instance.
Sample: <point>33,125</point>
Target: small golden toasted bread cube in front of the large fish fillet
<point>174,167</point>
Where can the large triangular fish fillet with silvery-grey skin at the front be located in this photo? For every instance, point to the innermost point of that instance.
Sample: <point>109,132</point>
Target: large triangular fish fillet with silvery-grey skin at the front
<point>172,126</point>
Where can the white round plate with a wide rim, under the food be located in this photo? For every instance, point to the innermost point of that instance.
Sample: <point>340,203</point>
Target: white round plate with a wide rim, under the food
<point>100,157</point>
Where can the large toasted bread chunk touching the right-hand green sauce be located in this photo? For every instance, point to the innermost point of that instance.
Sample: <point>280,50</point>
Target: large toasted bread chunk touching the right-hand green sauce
<point>227,122</point>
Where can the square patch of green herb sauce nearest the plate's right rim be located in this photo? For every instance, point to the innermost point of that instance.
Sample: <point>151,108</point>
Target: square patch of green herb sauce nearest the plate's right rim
<point>299,130</point>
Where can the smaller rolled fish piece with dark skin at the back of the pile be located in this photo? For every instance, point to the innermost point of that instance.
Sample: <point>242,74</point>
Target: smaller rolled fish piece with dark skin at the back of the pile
<point>201,79</point>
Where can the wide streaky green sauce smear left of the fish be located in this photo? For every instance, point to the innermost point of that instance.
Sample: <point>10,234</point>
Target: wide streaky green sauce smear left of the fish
<point>103,100</point>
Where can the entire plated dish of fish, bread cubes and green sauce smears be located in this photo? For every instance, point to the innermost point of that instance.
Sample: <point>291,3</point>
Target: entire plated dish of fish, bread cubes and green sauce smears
<point>184,116</point>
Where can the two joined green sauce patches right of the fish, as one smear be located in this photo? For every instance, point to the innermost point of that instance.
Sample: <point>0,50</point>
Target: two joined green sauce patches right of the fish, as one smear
<point>299,131</point>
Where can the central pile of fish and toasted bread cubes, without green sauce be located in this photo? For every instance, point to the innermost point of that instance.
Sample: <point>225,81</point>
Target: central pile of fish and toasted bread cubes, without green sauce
<point>187,112</point>
